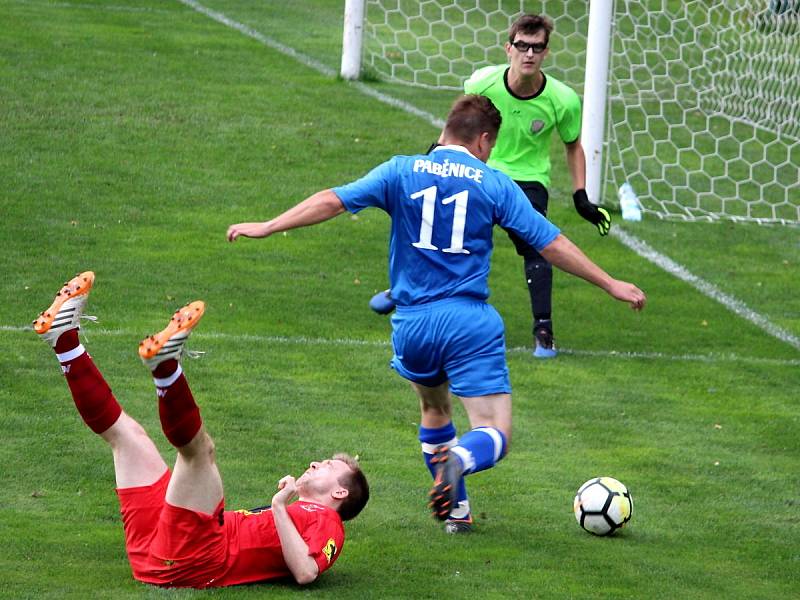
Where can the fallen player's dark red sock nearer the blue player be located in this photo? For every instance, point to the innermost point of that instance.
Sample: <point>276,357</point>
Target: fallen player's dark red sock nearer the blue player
<point>179,414</point>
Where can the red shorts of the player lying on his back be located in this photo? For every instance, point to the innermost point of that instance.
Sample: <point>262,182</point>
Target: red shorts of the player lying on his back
<point>168,545</point>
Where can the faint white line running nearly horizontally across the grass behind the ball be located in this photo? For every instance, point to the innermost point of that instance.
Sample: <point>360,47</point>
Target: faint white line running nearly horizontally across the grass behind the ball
<point>355,343</point>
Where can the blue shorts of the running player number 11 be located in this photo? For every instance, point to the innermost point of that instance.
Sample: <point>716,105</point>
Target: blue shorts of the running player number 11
<point>457,339</point>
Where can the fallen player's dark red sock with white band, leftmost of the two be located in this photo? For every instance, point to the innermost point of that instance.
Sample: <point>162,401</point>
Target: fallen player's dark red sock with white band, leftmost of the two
<point>90,392</point>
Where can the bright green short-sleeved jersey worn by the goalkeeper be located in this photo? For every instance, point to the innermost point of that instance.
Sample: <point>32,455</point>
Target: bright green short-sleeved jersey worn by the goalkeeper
<point>523,144</point>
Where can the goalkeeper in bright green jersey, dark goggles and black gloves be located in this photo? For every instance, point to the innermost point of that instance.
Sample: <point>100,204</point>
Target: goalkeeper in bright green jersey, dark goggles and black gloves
<point>532,105</point>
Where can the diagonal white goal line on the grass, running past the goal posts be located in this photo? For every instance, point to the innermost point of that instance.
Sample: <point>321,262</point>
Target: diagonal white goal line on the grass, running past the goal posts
<point>638,246</point>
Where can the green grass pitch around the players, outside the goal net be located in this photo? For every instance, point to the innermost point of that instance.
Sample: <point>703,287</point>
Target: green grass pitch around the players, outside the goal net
<point>134,131</point>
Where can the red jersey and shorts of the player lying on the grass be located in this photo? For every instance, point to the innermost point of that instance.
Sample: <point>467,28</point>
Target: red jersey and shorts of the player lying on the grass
<point>173,546</point>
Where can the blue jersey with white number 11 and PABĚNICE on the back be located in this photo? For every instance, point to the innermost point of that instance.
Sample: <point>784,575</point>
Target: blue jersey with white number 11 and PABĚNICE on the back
<point>443,207</point>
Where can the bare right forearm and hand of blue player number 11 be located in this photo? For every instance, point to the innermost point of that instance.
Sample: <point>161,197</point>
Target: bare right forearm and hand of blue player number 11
<point>562,253</point>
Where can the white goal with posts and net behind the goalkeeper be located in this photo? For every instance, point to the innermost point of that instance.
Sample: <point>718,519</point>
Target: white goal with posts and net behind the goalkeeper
<point>700,101</point>
